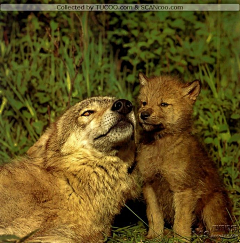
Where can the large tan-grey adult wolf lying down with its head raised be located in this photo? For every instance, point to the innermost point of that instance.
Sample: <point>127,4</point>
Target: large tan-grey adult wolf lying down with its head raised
<point>75,179</point>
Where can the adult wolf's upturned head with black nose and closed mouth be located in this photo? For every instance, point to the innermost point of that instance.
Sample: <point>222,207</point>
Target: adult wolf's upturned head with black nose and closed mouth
<point>104,124</point>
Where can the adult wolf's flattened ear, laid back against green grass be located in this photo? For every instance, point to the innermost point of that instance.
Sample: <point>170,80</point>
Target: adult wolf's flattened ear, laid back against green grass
<point>39,148</point>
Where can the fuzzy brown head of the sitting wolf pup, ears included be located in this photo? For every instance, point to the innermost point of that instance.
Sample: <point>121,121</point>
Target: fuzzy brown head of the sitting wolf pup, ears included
<point>166,103</point>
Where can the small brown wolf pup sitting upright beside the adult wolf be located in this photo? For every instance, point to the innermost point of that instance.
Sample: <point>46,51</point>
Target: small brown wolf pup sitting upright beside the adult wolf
<point>181,183</point>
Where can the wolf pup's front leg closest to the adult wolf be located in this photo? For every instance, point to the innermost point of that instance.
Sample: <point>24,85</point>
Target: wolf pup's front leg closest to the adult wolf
<point>154,213</point>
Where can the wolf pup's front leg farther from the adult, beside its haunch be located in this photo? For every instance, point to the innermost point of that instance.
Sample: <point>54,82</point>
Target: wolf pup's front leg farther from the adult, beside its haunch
<point>184,203</point>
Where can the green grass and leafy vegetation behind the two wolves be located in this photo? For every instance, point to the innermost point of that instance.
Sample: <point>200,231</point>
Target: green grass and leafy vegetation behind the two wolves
<point>50,60</point>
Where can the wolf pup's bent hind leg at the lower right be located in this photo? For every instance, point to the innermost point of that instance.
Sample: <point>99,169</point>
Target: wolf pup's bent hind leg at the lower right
<point>216,215</point>
